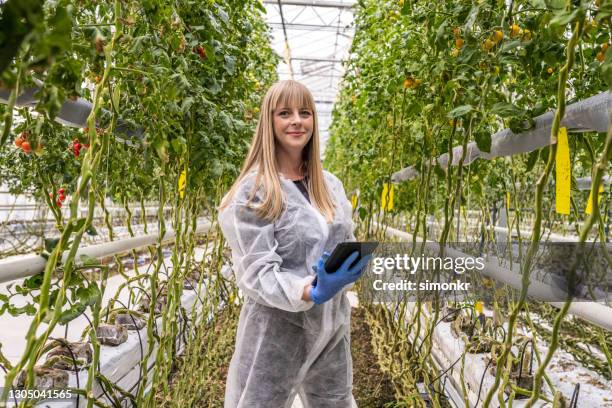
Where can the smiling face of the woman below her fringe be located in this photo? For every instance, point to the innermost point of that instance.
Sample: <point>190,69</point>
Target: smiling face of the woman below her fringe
<point>292,127</point>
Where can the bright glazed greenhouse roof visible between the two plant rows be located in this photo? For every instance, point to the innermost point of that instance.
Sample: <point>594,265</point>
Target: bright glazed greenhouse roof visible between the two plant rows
<point>312,37</point>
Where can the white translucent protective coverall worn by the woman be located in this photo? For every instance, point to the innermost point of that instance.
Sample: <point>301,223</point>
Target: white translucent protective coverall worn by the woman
<point>285,345</point>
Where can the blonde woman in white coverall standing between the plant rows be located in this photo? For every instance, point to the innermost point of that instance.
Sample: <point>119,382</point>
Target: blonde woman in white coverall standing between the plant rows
<point>280,216</point>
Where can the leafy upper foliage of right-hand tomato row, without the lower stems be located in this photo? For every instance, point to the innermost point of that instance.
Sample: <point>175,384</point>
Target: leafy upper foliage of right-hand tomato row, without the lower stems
<point>424,77</point>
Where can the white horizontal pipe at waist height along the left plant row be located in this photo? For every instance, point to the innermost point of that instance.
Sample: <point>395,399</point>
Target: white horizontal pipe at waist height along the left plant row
<point>23,266</point>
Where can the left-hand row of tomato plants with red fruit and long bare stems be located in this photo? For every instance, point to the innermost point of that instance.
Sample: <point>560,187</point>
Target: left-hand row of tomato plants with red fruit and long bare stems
<point>154,110</point>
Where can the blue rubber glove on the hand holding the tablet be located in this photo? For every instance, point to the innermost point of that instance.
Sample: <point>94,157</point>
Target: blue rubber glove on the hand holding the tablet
<point>328,284</point>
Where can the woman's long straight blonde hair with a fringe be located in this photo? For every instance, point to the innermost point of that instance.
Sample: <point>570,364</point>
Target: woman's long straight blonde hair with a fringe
<point>262,156</point>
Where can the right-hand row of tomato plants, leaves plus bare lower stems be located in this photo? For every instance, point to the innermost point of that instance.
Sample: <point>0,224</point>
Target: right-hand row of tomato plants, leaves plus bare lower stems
<point>481,67</point>
